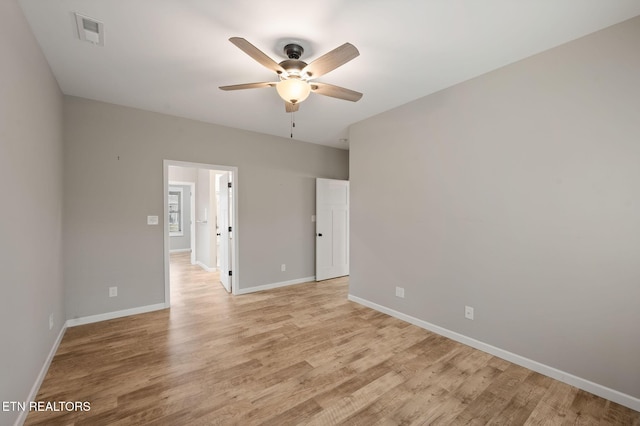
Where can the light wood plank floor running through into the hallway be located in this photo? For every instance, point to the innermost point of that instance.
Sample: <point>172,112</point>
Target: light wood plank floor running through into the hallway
<point>296,355</point>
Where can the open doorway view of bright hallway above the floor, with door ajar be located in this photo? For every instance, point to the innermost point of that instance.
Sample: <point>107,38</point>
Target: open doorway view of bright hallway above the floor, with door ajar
<point>213,207</point>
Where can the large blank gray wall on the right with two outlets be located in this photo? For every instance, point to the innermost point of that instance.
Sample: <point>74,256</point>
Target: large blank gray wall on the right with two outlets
<point>516,193</point>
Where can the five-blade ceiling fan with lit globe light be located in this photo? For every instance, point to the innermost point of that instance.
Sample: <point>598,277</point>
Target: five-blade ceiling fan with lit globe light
<point>295,76</point>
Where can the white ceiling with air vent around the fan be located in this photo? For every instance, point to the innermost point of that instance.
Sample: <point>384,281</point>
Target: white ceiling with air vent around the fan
<point>170,56</point>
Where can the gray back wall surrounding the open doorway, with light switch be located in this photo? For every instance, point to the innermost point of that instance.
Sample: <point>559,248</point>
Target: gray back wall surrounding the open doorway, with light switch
<point>107,241</point>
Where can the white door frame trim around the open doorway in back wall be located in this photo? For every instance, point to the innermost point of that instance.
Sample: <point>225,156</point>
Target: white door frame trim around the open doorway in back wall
<point>235,252</point>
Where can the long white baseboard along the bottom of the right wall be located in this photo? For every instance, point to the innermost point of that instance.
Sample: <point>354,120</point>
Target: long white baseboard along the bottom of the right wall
<point>584,384</point>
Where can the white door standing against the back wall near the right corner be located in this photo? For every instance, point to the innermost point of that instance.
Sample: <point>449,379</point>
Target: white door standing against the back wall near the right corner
<point>332,228</point>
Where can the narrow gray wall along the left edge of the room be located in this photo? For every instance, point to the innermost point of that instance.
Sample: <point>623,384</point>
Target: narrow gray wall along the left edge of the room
<point>31,209</point>
